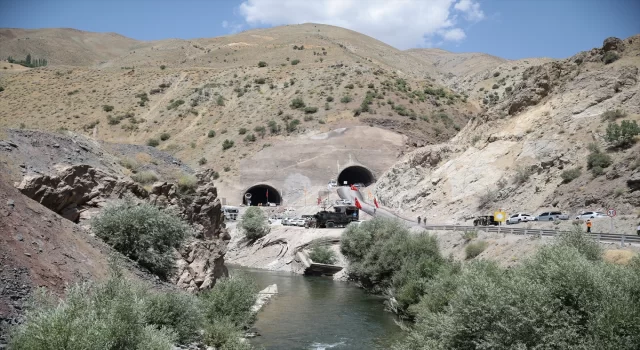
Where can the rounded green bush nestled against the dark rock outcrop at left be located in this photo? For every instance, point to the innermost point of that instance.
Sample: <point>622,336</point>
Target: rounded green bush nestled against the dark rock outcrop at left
<point>142,232</point>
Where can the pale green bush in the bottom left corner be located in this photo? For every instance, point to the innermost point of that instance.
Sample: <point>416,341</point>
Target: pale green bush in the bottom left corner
<point>105,316</point>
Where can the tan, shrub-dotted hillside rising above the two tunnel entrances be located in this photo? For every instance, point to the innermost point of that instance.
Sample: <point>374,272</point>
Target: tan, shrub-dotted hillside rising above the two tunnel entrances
<point>200,93</point>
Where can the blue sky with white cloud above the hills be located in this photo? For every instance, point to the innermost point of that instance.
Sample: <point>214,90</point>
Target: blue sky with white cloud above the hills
<point>506,28</point>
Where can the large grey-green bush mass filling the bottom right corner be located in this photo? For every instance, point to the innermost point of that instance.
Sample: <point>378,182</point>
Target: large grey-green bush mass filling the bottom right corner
<point>564,297</point>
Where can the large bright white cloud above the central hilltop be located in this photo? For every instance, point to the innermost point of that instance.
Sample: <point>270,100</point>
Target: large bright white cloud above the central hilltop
<point>400,23</point>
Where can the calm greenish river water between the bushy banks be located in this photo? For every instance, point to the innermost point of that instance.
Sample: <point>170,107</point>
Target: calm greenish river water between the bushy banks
<point>319,313</point>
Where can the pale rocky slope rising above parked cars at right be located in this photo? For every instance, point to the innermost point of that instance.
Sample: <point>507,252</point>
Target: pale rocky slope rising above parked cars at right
<point>512,156</point>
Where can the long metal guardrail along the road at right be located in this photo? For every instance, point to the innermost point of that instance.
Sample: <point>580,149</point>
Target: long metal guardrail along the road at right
<point>604,237</point>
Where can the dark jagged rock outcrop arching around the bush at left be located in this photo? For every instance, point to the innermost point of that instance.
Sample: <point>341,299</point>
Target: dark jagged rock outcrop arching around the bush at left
<point>79,192</point>
